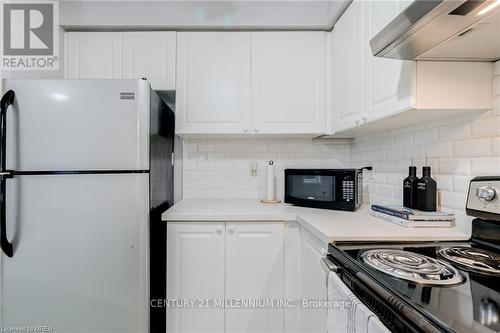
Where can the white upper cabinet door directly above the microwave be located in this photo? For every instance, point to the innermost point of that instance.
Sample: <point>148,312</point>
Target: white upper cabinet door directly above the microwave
<point>288,80</point>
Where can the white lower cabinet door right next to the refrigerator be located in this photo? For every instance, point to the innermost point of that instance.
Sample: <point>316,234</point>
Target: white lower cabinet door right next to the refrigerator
<point>195,271</point>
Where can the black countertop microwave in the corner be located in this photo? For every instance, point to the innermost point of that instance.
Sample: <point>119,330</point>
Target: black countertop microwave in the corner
<point>340,189</point>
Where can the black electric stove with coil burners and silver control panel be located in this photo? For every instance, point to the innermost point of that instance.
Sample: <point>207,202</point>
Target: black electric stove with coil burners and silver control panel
<point>432,286</point>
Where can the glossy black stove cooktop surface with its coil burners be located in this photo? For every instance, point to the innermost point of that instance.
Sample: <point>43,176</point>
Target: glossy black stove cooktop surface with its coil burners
<point>462,294</point>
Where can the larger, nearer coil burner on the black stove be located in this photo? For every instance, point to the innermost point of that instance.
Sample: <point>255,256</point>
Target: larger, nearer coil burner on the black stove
<point>412,267</point>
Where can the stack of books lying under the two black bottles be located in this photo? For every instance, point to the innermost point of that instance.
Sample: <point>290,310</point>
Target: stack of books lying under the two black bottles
<point>408,217</point>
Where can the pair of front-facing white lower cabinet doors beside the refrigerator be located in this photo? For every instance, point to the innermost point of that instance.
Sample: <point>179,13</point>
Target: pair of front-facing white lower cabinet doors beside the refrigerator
<point>233,261</point>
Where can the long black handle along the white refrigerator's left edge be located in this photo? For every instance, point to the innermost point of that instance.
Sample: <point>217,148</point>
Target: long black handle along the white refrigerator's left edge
<point>6,101</point>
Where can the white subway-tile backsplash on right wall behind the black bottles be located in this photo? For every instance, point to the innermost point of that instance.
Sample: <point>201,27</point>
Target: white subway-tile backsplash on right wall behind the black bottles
<point>457,150</point>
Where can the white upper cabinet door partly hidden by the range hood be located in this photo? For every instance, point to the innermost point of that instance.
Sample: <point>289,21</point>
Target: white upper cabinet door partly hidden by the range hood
<point>388,82</point>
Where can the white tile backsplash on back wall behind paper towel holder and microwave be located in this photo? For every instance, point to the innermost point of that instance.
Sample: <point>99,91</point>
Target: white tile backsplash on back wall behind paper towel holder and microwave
<point>221,168</point>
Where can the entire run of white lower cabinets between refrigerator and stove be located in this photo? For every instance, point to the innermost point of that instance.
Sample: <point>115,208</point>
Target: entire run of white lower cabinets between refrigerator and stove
<point>238,262</point>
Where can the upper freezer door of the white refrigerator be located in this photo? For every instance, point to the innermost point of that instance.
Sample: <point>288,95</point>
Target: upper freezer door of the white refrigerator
<point>78,125</point>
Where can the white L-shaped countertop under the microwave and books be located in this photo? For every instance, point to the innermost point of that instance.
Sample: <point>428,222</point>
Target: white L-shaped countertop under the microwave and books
<point>327,225</point>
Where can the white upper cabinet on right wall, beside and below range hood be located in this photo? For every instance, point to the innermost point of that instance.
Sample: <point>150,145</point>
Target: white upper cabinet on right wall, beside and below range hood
<point>364,88</point>
